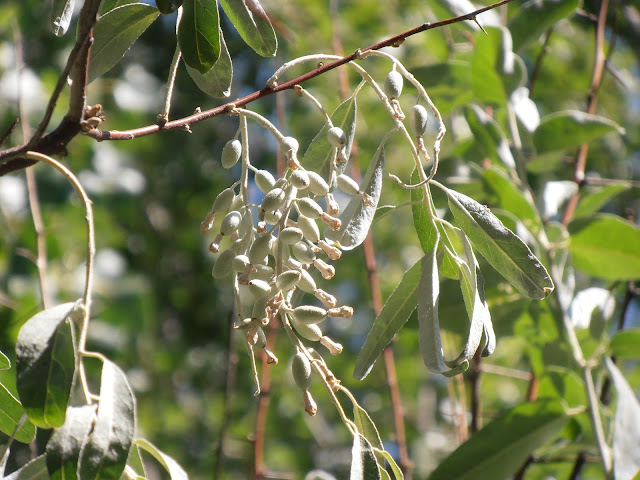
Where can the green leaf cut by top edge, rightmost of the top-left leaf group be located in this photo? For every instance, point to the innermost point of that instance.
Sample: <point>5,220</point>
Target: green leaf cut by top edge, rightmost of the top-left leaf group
<point>252,24</point>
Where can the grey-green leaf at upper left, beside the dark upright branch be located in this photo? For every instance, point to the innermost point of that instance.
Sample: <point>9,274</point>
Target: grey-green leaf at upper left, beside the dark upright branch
<point>115,33</point>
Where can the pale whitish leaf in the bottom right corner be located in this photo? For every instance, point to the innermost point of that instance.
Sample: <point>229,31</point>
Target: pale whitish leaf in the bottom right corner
<point>626,429</point>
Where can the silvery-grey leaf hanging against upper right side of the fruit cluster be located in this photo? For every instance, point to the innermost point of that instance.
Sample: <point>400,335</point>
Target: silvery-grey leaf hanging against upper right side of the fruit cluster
<point>357,217</point>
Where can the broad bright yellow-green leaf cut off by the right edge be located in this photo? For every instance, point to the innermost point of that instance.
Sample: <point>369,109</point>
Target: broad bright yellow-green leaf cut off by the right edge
<point>605,246</point>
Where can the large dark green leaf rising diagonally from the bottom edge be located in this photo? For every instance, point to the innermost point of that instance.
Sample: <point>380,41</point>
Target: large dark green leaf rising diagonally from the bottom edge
<point>500,448</point>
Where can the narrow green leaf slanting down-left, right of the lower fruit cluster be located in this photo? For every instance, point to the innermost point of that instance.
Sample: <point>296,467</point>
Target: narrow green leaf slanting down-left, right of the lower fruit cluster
<point>393,316</point>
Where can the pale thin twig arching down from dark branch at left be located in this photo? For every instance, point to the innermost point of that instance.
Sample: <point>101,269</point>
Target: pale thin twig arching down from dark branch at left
<point>91,251</point>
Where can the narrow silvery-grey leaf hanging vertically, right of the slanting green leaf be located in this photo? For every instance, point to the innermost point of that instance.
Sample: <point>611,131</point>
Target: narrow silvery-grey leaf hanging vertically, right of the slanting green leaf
<point>428,323</point>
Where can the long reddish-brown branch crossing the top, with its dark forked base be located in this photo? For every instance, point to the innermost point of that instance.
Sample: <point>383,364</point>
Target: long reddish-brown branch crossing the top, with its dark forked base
<point>56,142</point>
